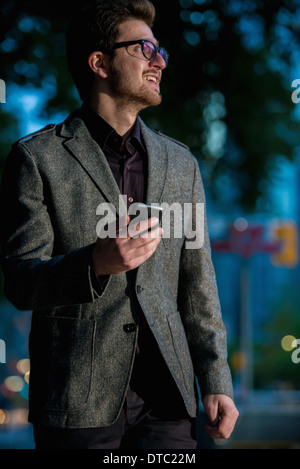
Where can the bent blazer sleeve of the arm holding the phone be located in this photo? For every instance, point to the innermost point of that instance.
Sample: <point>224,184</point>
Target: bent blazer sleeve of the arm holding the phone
<point>33,278</point>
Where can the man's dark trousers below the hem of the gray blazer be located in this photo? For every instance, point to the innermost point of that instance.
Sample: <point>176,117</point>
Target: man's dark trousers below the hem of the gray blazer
<point>136,428</point>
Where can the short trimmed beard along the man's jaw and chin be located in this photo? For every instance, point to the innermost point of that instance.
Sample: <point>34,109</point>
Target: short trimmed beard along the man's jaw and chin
<point>127,95</point>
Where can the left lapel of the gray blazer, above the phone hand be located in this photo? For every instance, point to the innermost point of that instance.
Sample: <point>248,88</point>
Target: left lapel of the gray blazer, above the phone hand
<point>92,159</point>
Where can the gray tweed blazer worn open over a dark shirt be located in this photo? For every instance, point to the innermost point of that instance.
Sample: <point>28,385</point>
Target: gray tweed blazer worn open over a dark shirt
<point>81,354</point>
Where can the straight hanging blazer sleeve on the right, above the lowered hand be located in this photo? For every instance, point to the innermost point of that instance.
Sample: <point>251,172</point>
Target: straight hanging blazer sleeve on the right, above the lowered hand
<point>200,310</point>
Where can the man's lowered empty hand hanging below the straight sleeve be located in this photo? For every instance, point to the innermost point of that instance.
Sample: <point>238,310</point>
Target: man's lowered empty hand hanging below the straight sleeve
<point>222,415</point>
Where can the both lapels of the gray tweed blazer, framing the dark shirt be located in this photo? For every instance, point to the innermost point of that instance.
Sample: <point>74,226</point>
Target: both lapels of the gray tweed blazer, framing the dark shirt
<point>89,155</point>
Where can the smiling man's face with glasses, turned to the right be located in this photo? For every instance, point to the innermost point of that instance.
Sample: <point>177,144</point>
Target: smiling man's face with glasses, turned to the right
<point>135,80</point>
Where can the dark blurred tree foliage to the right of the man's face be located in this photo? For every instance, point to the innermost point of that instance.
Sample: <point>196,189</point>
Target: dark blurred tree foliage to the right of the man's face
<point>228,93</point>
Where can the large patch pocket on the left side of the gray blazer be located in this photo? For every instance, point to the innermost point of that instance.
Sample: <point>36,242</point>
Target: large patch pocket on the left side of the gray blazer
<point>67,349</point>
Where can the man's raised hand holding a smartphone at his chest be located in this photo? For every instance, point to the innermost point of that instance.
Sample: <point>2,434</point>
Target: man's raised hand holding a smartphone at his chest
<point>112,256</point>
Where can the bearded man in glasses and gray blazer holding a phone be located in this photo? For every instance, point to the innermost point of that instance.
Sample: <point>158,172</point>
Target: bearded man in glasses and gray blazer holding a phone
<point>121,324</point>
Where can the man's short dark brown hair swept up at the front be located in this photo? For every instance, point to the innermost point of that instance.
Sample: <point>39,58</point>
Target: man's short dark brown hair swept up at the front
<point>97,28</point>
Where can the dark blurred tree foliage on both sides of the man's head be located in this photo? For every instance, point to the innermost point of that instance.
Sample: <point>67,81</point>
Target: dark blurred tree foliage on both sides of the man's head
<point>227,91</point>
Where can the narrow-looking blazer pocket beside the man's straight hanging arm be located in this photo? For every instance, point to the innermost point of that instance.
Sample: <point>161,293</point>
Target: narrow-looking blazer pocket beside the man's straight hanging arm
<point>181,348</point>
